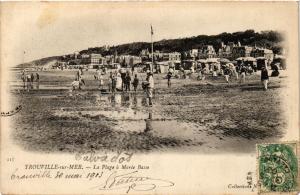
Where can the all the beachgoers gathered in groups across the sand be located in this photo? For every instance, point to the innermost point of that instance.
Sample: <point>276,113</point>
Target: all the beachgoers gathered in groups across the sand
<point>121,80</point>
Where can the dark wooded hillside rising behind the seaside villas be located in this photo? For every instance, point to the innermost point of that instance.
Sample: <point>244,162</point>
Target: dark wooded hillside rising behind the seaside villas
<point>268,39</point>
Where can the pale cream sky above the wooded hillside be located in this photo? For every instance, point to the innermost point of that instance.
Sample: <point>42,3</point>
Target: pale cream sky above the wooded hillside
<point>45,29</point>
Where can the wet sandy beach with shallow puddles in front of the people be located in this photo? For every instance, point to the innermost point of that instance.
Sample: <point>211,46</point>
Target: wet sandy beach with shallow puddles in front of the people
<point>194,116</point>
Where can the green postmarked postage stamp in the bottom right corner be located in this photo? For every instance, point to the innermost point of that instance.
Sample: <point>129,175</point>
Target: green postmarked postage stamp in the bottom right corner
<point>278,167</point>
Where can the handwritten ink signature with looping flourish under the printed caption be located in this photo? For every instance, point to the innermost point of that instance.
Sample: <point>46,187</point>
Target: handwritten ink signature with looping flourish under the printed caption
<point>131,182</point>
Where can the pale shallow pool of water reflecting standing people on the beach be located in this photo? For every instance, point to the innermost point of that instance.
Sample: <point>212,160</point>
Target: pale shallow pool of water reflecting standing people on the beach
<point>131,114</point>
